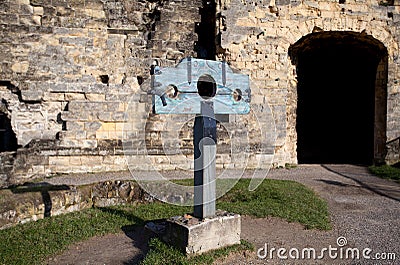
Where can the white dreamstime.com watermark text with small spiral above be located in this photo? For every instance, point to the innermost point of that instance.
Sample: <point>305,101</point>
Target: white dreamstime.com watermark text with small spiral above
<point>340,251</point>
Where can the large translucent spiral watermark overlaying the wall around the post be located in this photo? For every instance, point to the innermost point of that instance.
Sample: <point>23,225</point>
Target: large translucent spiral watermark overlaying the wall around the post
<point>251,138</point>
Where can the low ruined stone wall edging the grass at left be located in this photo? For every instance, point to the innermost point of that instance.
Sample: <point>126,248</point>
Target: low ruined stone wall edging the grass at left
<point>37,201</point>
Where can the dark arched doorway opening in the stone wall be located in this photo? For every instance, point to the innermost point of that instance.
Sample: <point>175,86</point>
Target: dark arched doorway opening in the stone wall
<point>341,97</point>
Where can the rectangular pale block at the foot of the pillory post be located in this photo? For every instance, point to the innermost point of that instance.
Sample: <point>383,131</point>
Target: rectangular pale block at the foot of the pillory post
<point>193,236</point>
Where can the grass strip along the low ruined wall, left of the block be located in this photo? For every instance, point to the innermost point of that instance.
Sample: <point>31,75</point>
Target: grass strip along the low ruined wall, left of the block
<point>33,242</point>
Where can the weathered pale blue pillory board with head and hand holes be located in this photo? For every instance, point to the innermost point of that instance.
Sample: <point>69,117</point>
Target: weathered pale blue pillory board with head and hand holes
<point>179,86</point>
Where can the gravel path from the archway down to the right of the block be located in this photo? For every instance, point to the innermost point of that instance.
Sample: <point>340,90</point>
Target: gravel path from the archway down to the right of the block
<point>364,209</point>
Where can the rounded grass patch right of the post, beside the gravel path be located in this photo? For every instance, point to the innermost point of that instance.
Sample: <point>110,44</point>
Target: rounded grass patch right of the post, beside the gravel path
<point>280,198</point>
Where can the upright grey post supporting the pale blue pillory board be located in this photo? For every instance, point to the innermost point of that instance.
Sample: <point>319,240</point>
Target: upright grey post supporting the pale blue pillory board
<point>205,139</point>
